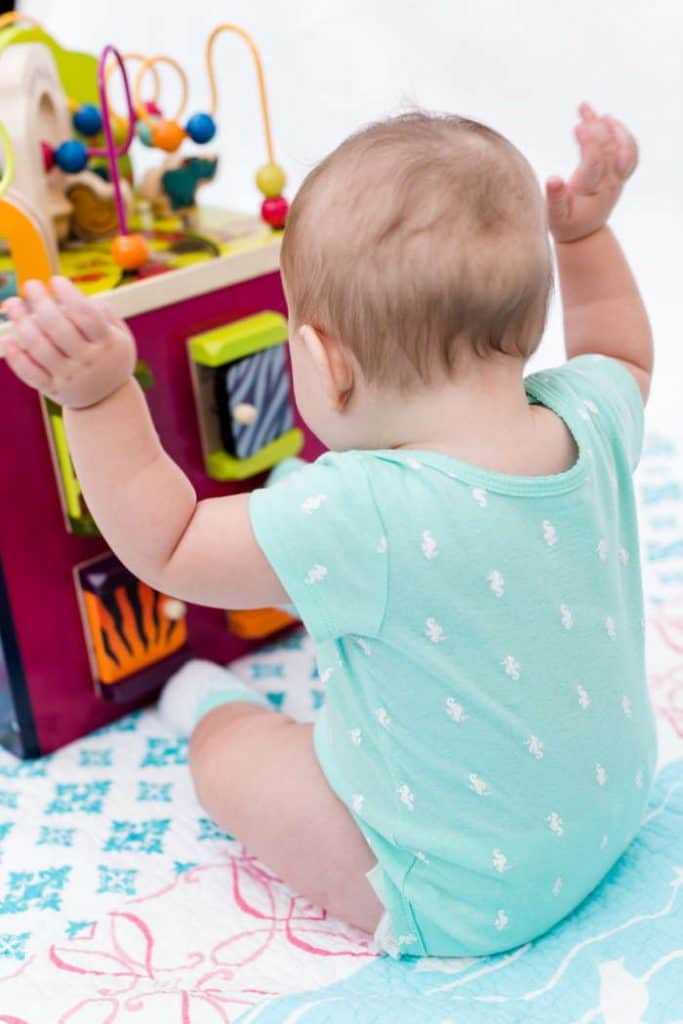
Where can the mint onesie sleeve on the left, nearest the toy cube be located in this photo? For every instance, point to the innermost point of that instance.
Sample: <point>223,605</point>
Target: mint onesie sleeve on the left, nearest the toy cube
<point>322,533</point>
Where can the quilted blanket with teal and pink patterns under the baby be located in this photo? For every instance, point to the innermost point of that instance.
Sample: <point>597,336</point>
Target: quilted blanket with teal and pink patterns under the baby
<point>121,903</point>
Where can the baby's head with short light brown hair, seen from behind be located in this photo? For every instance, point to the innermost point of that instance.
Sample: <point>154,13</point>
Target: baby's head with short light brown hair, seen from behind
<point>419,245</point>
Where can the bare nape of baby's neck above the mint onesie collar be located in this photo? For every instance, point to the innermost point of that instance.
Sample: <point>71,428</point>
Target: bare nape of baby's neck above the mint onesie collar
<point>483,418</point>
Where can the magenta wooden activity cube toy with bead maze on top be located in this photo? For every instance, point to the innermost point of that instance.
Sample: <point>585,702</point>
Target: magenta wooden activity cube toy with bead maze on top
<point>82,642</point>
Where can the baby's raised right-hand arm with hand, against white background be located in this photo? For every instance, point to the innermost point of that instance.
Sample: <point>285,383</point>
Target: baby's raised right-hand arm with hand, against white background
<point>604,311</point>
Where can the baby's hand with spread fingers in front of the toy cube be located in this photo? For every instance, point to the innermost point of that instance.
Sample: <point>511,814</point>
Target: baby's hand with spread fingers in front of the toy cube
<point>73,350</point>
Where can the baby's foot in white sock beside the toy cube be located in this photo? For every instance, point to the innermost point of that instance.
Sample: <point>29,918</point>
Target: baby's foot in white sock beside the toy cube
<point>196,690</point>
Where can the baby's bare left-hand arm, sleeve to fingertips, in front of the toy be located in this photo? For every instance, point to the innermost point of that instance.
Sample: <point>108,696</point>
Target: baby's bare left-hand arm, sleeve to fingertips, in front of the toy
<point>78,354</point>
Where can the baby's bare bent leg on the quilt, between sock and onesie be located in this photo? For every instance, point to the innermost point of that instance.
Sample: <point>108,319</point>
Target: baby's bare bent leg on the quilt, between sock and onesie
<point>258,776</point>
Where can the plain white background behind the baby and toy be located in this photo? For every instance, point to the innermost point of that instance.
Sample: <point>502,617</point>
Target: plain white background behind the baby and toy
<point>523,67</point>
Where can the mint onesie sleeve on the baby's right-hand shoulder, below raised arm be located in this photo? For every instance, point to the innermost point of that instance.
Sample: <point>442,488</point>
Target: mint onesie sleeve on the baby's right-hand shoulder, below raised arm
<point>607,395</point>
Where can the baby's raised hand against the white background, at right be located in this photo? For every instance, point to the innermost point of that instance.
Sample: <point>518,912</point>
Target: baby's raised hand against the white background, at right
<point>609,158</point>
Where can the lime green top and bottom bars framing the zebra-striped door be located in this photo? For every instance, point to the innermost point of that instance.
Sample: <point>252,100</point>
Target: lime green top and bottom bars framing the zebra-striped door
<point>226,345</point>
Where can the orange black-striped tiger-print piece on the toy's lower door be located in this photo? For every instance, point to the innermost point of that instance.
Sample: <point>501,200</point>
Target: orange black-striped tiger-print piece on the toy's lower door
<point>119,651</point>
